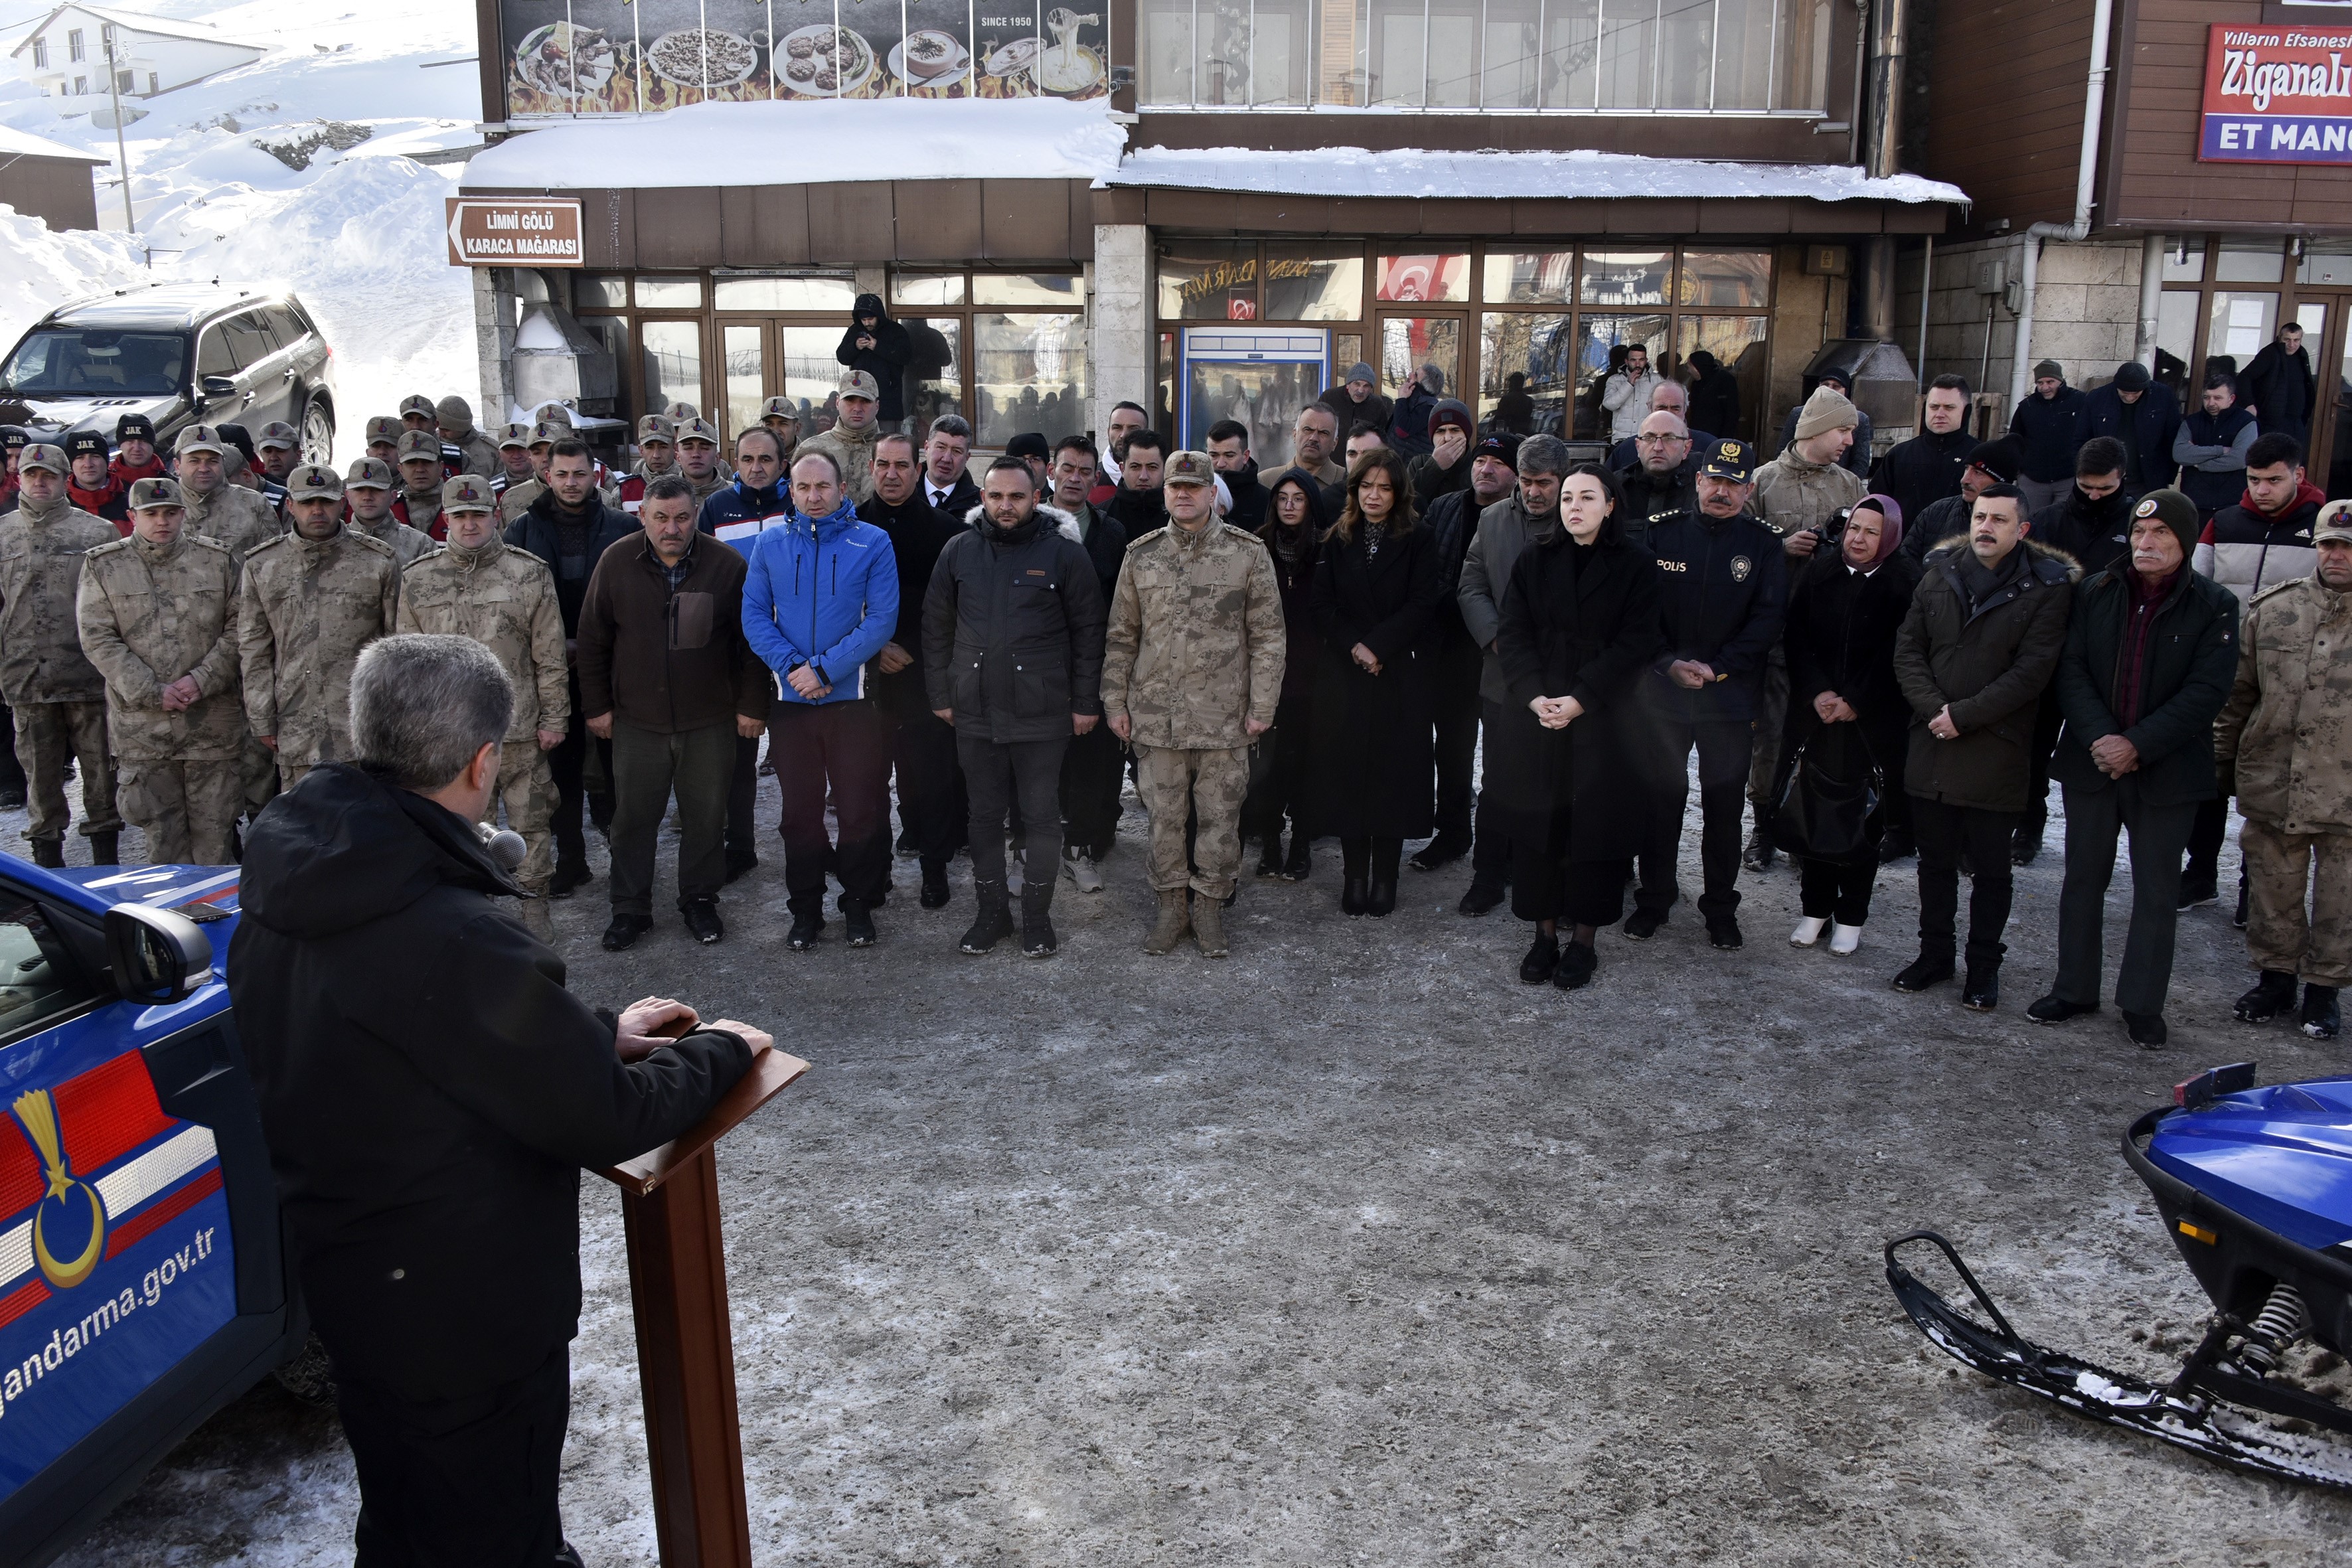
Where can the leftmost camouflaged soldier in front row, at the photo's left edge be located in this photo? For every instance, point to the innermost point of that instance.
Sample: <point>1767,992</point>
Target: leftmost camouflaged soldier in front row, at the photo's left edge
<point>51,688</point>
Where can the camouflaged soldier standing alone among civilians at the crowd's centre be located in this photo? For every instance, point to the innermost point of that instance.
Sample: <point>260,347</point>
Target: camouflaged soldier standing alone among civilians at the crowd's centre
<point>1191,676</point>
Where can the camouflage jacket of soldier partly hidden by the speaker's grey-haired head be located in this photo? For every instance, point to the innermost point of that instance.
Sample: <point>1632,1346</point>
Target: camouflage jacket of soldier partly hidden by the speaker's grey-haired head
<point>502,598</point>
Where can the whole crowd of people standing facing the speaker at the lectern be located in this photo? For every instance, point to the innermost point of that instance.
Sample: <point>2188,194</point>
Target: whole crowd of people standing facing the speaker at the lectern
<point>1464,641</point>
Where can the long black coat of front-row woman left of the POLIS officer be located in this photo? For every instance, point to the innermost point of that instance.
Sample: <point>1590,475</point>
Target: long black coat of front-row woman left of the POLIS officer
<point>1579,624</point>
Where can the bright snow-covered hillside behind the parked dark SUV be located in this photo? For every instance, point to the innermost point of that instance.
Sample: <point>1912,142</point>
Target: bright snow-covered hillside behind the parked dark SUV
<point>356,234</point>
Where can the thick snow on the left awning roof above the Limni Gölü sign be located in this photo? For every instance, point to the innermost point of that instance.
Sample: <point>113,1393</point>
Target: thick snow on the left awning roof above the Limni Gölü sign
<point>735,145</point>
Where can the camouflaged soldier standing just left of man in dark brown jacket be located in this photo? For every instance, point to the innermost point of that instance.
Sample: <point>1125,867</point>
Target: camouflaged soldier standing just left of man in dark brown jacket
<point>505,598</point>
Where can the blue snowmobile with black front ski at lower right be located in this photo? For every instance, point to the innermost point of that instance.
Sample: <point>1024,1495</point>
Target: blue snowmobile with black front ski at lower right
<point>2257,1193</point>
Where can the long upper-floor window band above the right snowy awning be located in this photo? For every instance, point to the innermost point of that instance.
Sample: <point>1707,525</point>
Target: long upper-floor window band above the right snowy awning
<point>1532,55</point>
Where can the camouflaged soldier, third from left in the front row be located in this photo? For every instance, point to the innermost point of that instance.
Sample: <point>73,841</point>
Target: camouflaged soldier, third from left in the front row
<point>309,603</point>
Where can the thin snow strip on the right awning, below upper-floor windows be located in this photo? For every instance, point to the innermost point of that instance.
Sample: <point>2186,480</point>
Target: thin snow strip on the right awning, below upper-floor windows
<point>1361,173</point>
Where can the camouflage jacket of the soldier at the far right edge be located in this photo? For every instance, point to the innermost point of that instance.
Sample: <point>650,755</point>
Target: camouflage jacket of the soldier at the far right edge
<point>2290,713</point>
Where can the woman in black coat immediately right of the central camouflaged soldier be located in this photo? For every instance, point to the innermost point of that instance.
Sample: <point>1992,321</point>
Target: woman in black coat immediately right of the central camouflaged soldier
<point>1278,777</point>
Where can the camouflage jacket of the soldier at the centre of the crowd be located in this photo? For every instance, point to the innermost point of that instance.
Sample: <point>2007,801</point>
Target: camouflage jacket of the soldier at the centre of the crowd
<point>1196,638</point>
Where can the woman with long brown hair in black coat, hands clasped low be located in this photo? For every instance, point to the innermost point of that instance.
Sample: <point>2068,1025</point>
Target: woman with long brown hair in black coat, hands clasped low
<point>1377,589</point>
